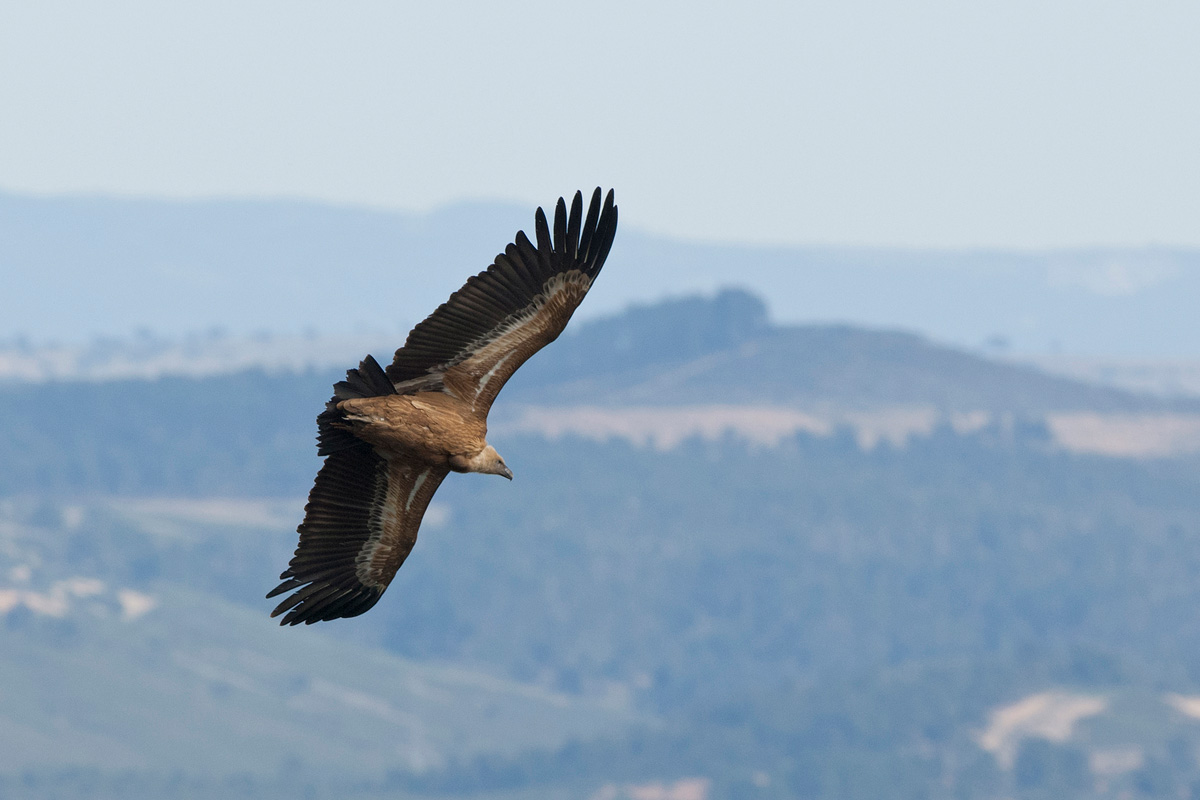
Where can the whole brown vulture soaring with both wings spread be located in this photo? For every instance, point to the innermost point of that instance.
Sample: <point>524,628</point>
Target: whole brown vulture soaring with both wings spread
<point>392,436</point>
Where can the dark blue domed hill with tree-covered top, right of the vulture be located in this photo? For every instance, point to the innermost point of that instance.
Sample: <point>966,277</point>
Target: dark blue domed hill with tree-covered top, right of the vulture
<point>725,351</point>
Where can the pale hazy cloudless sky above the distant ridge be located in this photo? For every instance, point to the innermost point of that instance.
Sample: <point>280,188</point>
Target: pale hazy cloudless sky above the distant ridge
<point>926,123</point>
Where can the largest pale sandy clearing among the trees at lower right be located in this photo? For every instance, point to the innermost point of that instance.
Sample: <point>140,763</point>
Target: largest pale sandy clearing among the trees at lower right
<point>1047,715</point>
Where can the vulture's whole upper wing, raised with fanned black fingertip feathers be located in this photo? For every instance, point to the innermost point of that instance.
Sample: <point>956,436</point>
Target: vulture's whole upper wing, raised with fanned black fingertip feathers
<point>475,342</point>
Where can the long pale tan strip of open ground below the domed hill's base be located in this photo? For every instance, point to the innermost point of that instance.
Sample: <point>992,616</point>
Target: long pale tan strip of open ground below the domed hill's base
<point>664,428</point>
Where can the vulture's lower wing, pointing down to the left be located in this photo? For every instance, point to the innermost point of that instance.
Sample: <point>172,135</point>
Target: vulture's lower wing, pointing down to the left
<point>359,527</point>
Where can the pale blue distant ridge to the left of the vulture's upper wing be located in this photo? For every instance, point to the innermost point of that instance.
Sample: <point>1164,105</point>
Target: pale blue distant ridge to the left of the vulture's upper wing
<point>247,267</point>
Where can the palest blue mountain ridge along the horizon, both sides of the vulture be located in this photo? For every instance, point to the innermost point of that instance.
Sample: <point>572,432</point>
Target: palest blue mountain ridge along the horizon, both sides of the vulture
<point>83,268</point>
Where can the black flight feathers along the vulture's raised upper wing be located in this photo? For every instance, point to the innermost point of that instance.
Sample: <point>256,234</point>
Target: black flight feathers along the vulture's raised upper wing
<point>493,302</point>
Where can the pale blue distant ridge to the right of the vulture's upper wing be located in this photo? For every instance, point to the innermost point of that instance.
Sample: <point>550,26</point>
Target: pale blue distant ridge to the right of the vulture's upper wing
<point>1094,302</point>
